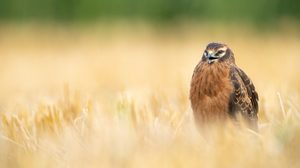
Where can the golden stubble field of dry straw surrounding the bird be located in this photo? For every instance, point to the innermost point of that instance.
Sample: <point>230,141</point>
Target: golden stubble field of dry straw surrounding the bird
<point>117,96</point>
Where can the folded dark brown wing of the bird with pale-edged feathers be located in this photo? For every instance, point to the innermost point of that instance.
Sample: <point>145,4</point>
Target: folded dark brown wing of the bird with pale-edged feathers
<point>244,97</point>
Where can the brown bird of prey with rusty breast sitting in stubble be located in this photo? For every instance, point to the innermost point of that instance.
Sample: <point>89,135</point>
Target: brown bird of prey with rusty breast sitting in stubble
<point>220,90</point>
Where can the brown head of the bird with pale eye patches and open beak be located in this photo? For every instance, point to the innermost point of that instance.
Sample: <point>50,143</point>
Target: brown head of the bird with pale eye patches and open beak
<point>215,52</point>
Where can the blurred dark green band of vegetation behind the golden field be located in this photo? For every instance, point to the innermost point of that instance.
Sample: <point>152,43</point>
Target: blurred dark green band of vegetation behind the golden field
<point>256,11</point>
